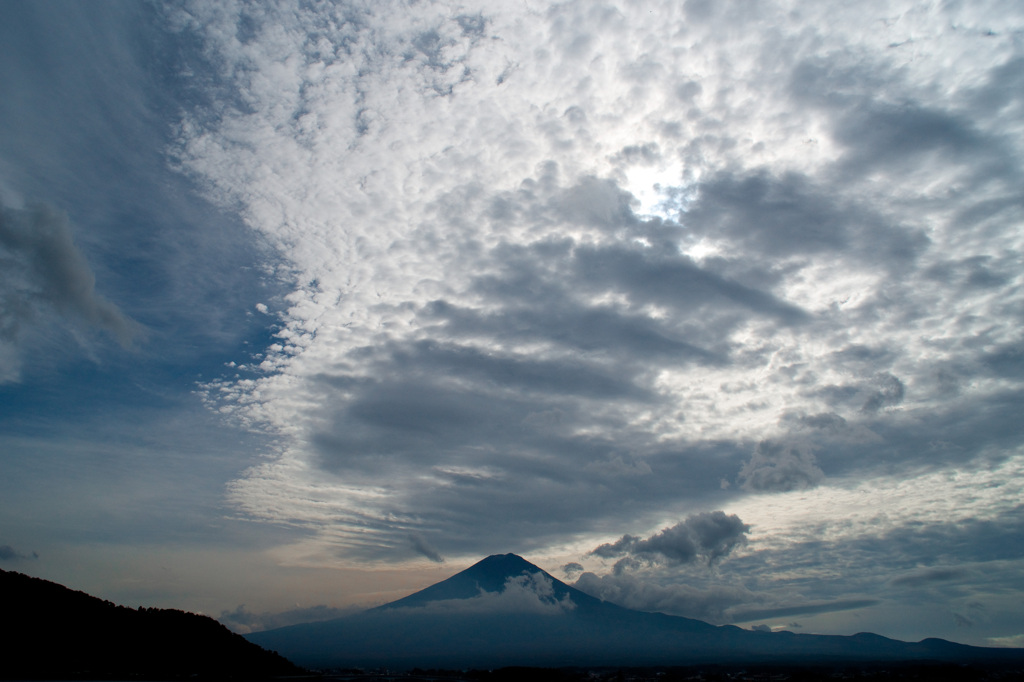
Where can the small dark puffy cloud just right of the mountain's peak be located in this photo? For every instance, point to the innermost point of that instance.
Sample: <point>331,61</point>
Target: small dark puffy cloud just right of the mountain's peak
<point>708,536</point>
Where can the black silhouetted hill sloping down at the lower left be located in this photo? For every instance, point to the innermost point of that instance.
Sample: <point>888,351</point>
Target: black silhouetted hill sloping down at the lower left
<point>52,632</point>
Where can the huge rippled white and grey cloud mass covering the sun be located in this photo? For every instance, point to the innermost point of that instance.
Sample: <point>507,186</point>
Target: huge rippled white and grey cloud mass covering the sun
<point>485,335</point>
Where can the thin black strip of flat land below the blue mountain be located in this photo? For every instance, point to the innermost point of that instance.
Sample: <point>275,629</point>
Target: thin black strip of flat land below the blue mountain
<point>937,672</point>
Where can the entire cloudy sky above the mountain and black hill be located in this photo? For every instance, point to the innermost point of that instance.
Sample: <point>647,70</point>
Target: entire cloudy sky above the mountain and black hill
<point>713,309</point>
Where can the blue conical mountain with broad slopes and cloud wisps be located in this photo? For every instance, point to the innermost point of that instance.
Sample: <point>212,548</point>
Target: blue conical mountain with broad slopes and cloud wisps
<point>505,612</point>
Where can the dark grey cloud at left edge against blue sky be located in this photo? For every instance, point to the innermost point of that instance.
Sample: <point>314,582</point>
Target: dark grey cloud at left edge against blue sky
<point>44,270</point>
